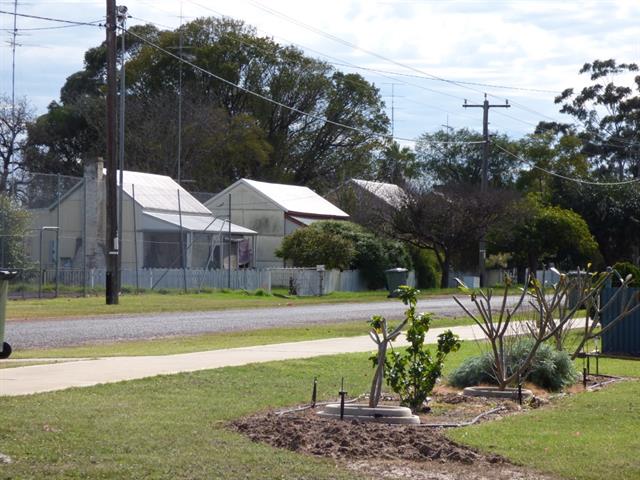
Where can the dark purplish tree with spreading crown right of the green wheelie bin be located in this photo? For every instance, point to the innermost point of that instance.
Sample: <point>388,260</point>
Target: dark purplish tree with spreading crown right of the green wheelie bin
<point>449,220</point>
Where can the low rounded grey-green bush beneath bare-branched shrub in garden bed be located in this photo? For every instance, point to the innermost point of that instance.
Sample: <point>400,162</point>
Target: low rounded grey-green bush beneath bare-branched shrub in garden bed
<point>550,369</point>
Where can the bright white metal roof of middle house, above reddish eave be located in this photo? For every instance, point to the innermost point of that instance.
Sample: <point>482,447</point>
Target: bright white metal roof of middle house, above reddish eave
<point>292,198</point>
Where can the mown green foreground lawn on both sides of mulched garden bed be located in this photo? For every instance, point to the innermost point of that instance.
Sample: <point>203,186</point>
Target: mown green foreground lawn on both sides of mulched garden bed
<point>174,426</point>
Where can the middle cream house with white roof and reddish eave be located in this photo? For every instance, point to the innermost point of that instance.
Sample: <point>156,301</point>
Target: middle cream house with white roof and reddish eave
<point>274,211</point>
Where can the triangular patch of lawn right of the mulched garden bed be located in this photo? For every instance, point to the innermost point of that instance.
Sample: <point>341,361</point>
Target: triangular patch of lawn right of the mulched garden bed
<point>586,436</point>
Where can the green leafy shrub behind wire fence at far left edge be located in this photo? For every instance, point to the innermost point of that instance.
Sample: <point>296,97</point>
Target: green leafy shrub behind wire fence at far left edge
<point>14,224</point>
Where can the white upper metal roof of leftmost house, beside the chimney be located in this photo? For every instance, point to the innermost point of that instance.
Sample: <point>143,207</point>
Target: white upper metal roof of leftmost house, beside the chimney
<point>159,192</point>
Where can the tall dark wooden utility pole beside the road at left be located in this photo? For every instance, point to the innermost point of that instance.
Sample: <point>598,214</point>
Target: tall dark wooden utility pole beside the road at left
<point>113,273</point>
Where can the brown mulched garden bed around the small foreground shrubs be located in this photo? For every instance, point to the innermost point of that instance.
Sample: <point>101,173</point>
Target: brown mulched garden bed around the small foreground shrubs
<point>379,450</point>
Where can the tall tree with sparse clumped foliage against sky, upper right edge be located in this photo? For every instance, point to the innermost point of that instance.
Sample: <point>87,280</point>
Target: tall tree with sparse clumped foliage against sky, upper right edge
<point>608,116</point>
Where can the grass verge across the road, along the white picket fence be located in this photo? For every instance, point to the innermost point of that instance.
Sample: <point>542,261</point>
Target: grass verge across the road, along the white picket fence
<point>179,302</point>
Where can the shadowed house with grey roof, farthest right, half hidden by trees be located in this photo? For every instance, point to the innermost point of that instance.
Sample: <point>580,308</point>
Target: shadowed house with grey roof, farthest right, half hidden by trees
<point>368,202</point>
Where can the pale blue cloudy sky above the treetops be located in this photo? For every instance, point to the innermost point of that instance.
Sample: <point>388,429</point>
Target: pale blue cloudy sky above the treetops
<point>425,56</point>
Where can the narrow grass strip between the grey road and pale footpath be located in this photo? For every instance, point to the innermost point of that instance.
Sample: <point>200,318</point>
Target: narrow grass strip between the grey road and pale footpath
<point>216,341</point>
